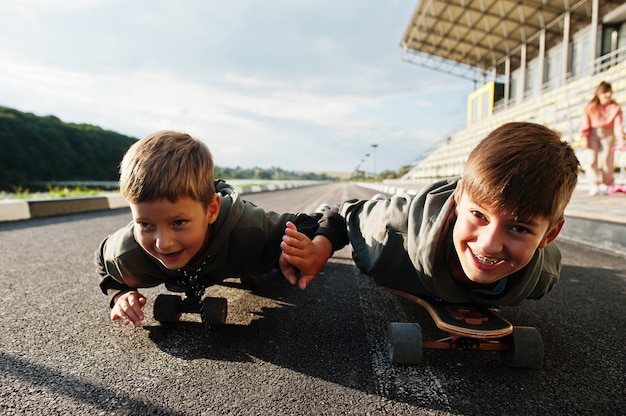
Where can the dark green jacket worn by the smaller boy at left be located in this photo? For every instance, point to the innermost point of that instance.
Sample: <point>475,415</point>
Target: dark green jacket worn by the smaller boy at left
<point>245,241</point>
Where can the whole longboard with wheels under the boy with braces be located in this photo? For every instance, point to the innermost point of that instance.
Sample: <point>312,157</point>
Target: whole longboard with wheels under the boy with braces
<point>468,328</point>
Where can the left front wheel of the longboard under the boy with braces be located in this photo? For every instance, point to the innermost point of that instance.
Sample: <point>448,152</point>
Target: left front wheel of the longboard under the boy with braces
<point>405,343</point>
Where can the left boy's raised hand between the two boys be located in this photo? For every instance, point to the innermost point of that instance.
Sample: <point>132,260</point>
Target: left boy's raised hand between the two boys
<point>303,254</point>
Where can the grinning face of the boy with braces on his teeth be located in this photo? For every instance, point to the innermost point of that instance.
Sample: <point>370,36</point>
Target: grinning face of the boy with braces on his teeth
<point>491,246</point>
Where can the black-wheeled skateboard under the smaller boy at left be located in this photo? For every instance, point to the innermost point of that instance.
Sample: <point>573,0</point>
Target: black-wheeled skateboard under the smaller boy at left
<point>168,308</point>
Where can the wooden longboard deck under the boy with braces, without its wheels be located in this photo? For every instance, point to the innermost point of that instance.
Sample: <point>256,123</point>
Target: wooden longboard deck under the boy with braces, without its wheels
<point>465,320</point>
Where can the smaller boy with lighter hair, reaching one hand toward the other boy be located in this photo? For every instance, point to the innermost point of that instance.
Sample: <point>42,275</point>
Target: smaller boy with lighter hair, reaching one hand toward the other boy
<point>188,227</point>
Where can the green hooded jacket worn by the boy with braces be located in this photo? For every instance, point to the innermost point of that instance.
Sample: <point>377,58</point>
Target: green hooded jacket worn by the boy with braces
<point>403,244</point>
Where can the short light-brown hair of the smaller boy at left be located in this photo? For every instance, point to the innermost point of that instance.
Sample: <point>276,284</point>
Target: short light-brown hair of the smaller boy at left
<point>167,165</point>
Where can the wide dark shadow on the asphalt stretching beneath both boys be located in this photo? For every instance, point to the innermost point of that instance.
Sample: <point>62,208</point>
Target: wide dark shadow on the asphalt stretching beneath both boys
<point>322,333</point>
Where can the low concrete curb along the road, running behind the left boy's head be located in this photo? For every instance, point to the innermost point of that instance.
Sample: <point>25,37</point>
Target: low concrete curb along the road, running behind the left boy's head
<point>18,210</point>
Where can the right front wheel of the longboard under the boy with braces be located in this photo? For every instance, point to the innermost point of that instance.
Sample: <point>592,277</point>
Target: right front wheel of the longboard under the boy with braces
<point>526,348</point>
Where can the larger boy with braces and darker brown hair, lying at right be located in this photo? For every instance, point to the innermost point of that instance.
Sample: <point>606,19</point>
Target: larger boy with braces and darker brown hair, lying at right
<point>486,238</point>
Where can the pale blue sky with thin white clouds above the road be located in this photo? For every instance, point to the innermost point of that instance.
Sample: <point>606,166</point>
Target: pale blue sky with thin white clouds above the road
<point>302,85</point>
